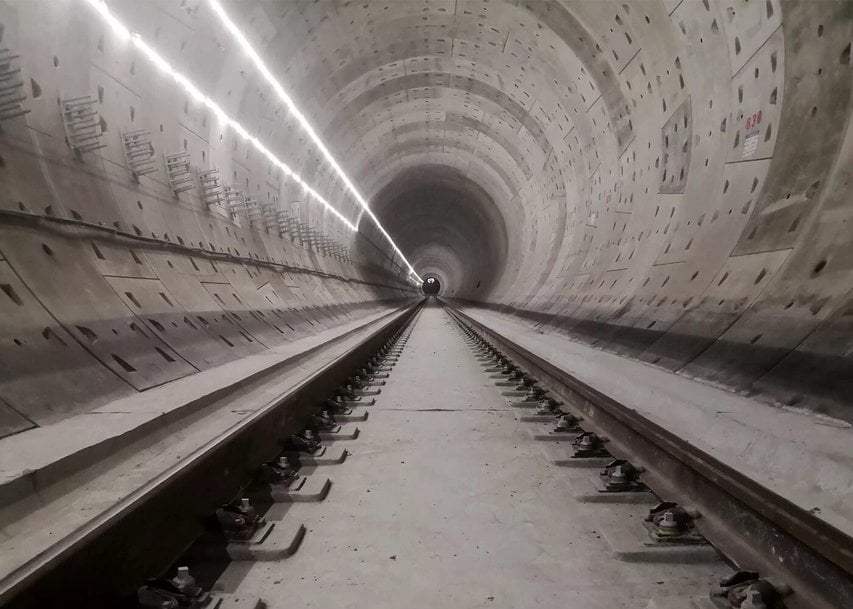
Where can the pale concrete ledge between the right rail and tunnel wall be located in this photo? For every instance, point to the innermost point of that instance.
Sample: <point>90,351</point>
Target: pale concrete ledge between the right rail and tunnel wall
<point>802,456</point>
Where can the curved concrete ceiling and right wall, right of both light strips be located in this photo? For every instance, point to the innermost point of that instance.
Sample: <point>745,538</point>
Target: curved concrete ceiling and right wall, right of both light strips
<point>638,154</point>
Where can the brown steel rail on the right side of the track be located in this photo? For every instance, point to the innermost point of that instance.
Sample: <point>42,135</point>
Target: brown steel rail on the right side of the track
<point>751,525</point>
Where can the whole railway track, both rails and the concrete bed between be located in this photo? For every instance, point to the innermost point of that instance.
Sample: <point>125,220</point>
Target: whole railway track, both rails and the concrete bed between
<point>411,470</point>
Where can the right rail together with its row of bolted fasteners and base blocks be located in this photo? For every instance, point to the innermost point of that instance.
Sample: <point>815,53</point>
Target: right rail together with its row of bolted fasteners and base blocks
<point>661,500</point>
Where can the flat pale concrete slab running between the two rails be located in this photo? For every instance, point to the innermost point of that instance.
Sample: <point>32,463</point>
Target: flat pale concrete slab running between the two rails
<point>444,502</point>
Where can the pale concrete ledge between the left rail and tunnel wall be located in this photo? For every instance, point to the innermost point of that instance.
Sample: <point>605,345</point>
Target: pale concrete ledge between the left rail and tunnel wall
<point>45,513</point>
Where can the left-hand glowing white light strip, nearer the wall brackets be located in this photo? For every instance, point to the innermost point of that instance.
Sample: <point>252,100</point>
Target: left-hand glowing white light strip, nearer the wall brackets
<point>125,33</point>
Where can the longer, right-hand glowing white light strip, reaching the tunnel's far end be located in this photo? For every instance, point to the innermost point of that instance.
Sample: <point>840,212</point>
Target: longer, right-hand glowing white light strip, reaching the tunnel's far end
<point>303,122</point>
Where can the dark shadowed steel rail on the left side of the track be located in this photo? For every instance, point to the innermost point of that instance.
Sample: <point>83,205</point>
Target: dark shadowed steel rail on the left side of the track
<point>141,534</point>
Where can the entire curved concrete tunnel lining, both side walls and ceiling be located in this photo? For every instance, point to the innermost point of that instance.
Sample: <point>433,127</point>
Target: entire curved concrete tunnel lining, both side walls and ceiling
<point>666,179</point>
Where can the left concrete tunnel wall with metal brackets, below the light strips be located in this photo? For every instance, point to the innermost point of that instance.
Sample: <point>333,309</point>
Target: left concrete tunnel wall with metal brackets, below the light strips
<point>112,284</point>
